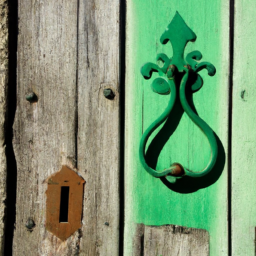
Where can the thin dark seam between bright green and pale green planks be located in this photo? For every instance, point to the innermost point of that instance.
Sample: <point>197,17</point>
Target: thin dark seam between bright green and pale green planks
<point>230,106</point>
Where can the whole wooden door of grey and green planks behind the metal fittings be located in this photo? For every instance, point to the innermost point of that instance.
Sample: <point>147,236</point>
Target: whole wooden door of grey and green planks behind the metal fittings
<point>73,97</point>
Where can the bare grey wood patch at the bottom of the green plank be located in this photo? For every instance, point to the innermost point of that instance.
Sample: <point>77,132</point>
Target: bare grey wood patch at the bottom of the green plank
<point>170,240</point>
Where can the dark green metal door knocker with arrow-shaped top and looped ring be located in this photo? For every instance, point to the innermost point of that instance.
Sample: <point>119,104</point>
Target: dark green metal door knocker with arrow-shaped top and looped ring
<point>179,34</point>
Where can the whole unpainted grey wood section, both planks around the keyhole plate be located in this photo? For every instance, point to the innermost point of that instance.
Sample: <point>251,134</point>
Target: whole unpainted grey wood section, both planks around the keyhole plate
<point>68,52</point>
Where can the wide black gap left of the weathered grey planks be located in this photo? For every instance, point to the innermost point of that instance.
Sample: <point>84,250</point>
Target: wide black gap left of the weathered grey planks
<point>11,179</point>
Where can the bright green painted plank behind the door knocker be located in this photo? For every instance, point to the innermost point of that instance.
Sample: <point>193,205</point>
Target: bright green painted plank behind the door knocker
<point>148,200</point>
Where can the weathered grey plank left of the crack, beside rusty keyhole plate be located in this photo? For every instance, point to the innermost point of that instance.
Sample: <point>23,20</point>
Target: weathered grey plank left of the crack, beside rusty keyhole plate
<point>45,131</point>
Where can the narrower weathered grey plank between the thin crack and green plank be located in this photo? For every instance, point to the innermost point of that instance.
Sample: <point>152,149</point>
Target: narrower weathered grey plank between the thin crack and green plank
<point>98,125</point>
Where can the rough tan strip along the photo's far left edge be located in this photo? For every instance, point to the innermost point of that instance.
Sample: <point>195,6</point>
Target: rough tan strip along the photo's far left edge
<point>3,110</point>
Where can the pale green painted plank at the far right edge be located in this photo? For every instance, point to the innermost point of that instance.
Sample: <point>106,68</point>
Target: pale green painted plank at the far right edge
<point>243,132</point>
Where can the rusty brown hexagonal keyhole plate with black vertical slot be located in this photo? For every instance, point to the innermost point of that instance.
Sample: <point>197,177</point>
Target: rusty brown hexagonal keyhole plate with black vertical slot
<point>64,202</point>
